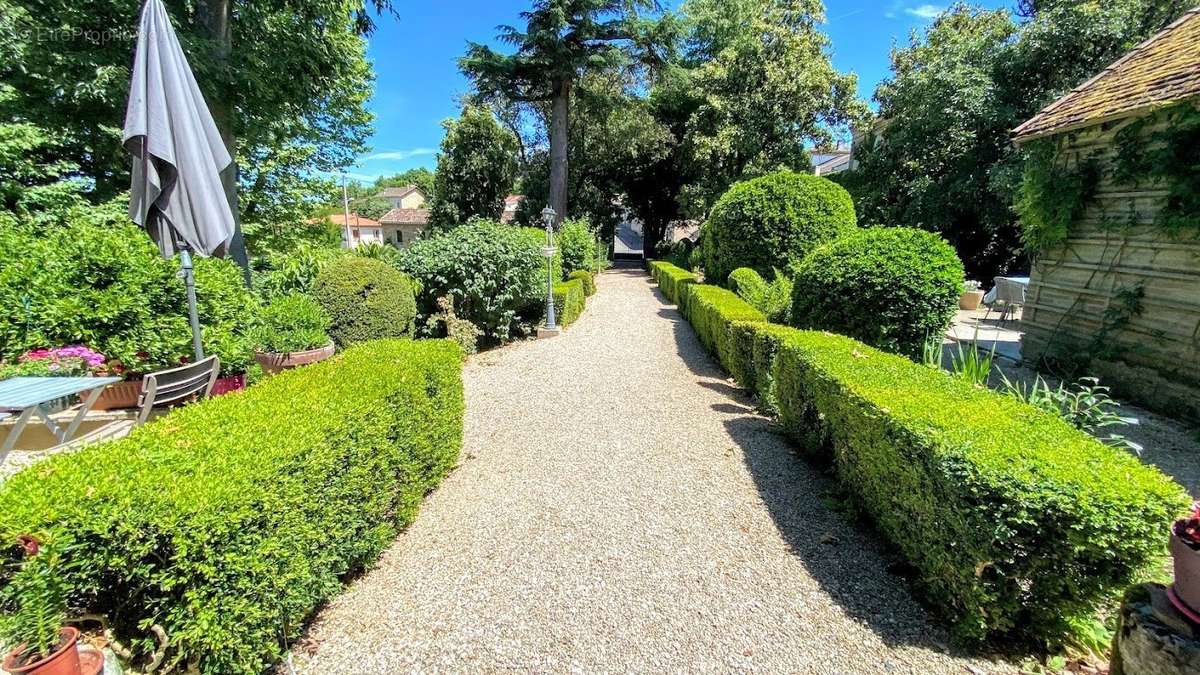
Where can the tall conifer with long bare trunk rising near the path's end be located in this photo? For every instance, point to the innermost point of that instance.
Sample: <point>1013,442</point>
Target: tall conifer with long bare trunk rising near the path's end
<point>563,40</point>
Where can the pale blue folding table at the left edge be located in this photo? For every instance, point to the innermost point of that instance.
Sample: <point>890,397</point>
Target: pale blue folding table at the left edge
<point>27,397</point>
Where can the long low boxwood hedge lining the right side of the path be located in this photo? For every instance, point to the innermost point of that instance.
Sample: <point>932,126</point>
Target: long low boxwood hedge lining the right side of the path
<point>1017,523</point>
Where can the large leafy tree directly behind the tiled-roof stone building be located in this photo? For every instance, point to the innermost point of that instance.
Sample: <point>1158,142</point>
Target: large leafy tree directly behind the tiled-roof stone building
<point>941,158</point>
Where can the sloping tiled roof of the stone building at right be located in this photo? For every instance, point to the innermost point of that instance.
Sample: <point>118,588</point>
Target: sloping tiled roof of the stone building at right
<point>1163,70</point>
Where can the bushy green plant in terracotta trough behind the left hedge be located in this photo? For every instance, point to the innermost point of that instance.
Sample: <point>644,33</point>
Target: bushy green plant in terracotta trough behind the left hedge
<point>293,331</point>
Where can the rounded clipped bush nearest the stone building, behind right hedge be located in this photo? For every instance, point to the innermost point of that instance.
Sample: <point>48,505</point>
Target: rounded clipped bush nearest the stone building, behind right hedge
<point>889,288</point>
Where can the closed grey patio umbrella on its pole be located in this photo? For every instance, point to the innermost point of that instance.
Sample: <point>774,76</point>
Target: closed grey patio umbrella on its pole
<point>178,156</point>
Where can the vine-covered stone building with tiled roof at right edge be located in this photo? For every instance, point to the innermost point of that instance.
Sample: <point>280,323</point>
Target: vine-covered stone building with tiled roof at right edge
<point>1130,295</point>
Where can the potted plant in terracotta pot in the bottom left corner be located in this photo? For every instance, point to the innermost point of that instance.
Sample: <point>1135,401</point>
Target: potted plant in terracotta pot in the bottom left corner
<point>35,606</point>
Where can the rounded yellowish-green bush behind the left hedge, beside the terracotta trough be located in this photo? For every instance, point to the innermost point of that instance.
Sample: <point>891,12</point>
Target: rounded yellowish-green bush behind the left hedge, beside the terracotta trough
<point>367,300</point>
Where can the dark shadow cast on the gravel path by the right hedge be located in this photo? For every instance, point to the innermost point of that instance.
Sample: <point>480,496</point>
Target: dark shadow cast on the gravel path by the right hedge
<point>845,557</point>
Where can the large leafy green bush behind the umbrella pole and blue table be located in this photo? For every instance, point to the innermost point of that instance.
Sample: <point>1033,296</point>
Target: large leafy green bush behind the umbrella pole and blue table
<point>109,288</point>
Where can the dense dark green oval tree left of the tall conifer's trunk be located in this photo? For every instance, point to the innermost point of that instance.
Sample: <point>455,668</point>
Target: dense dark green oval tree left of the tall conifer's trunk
<point>477,168</point>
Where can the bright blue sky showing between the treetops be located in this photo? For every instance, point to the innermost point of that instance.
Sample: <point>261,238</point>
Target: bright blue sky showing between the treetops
<point>419,83</point>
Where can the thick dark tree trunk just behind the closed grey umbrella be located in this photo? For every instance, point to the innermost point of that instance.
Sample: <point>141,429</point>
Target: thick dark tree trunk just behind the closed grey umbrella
<point>217,17</point>
